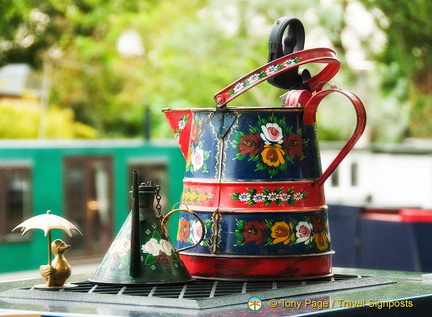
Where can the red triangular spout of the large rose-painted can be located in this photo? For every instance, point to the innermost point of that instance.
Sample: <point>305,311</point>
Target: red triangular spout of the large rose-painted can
<point>180,122</point>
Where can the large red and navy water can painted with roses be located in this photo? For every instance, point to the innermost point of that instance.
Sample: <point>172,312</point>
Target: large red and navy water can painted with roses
<point>254,174</point>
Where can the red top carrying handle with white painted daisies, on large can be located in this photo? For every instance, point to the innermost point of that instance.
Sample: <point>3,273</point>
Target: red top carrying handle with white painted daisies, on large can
<point>280,65</point>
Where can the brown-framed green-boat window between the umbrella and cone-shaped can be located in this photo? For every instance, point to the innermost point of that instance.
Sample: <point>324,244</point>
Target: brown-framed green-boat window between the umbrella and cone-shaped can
<point>88,186</point>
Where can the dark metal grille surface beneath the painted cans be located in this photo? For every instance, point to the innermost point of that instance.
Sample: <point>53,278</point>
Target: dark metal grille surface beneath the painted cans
<point>196,295</point>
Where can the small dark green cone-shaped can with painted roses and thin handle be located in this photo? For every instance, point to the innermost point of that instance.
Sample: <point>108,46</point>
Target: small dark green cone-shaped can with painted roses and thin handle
<point>142,252</point>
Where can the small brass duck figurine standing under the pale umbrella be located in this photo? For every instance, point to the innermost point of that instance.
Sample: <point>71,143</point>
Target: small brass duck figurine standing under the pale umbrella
<point>59,271</point>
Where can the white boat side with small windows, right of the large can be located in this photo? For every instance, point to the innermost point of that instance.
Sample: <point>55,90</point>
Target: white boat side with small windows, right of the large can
<point>384,179</point>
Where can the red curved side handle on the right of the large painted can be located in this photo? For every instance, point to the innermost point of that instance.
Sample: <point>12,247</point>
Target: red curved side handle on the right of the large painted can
<point>309,118</point>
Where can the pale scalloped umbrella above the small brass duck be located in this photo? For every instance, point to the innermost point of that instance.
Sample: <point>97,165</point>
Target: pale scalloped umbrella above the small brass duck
<point>47,222</point>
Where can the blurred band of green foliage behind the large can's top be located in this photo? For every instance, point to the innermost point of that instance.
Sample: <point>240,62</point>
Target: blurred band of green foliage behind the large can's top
<point>193,49</point>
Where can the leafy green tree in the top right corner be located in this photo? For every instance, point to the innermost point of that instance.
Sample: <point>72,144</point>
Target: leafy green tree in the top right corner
<point>405,63</point>
